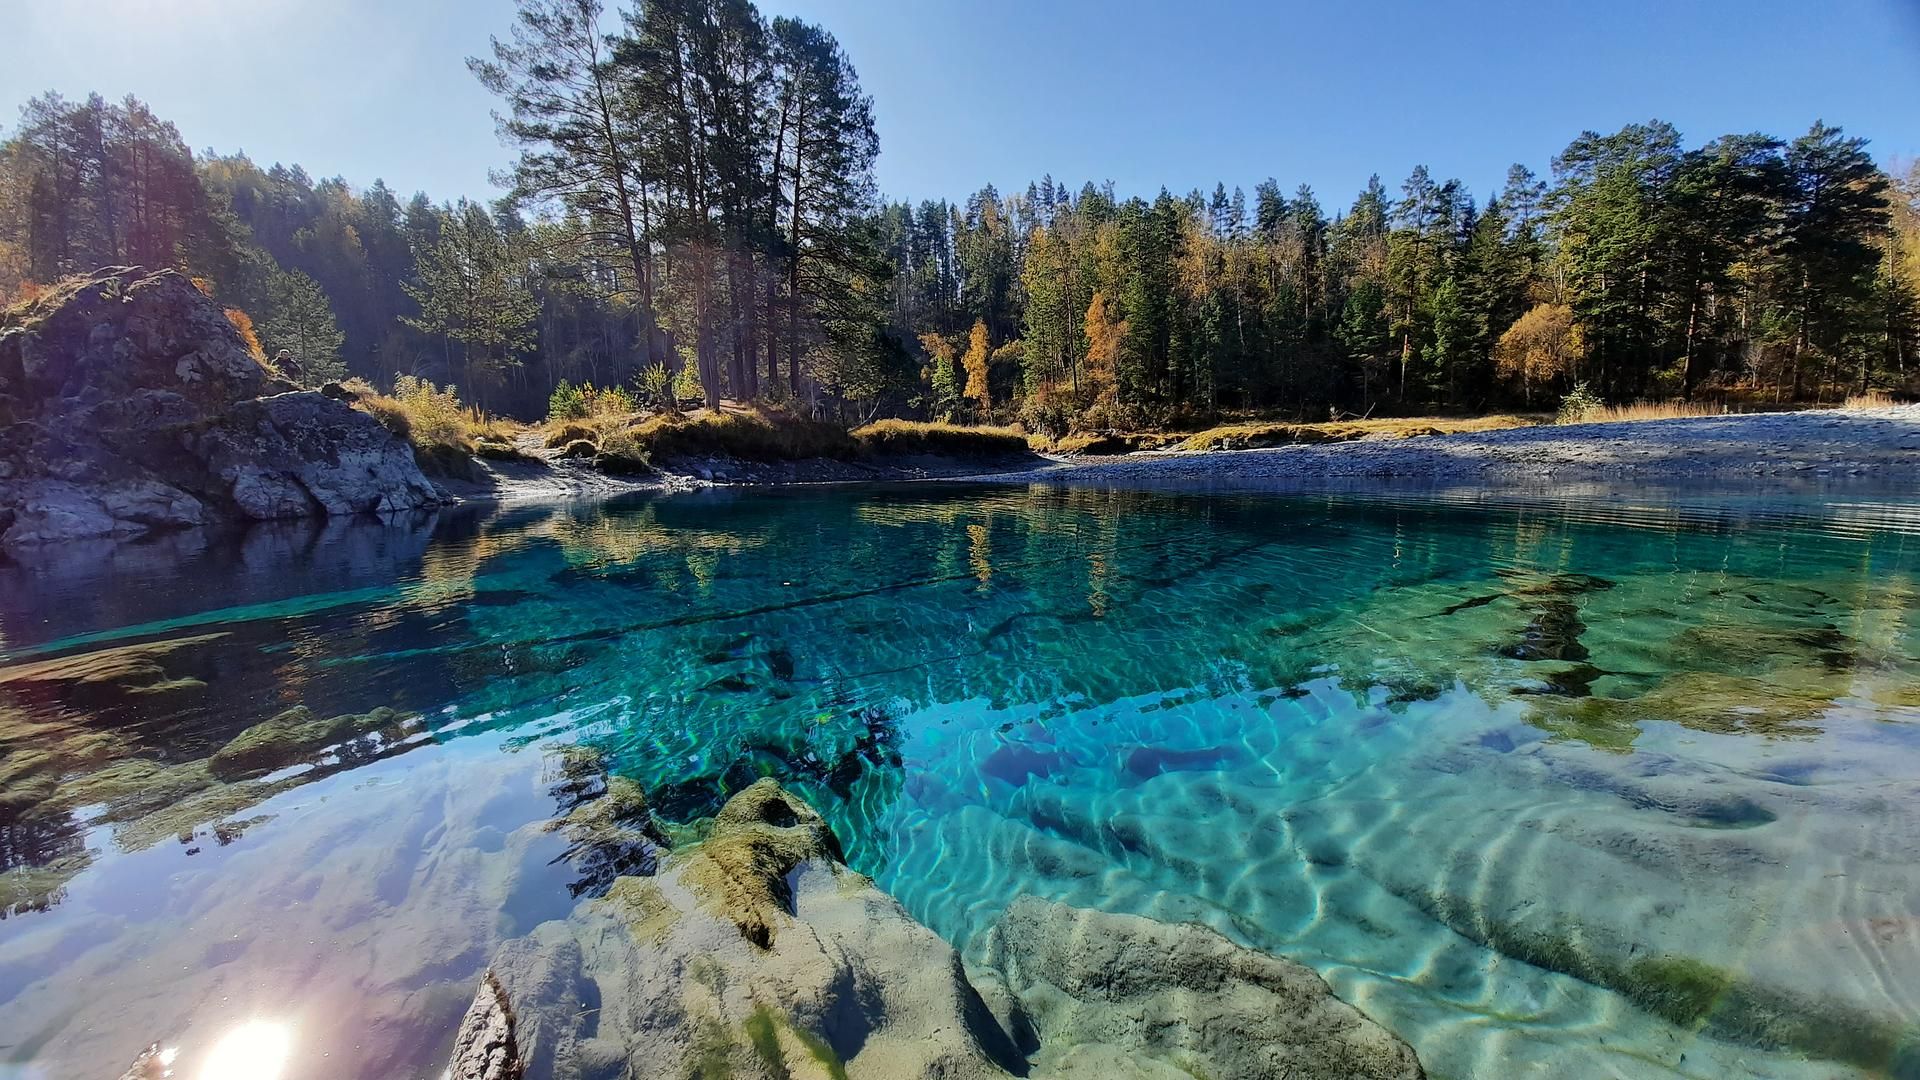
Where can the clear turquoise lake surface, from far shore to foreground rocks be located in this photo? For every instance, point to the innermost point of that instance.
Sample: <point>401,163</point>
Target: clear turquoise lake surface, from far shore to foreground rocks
<point>1552,789</point>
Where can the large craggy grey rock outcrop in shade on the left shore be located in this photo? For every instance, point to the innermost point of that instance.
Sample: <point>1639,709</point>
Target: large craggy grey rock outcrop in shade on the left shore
<point>130,405</point>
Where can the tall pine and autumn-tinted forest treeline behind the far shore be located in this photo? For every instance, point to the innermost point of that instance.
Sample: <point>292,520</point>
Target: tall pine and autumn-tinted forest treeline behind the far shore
<point>692,205</point>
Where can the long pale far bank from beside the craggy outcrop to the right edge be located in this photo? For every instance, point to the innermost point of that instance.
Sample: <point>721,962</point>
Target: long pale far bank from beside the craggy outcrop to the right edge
<point>1769,449</point>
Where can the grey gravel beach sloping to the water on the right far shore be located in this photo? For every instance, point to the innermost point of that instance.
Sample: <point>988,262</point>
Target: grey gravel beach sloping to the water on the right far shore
<point>1787,449</point>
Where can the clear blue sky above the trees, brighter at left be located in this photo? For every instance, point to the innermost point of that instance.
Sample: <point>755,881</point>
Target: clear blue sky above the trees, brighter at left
<point>974,91</point>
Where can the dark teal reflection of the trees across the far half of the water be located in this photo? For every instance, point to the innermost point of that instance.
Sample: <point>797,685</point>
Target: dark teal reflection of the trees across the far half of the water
<point>723,639</point>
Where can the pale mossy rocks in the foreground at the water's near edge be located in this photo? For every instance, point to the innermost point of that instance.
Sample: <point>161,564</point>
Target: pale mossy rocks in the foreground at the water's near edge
<point>756,954</point>
